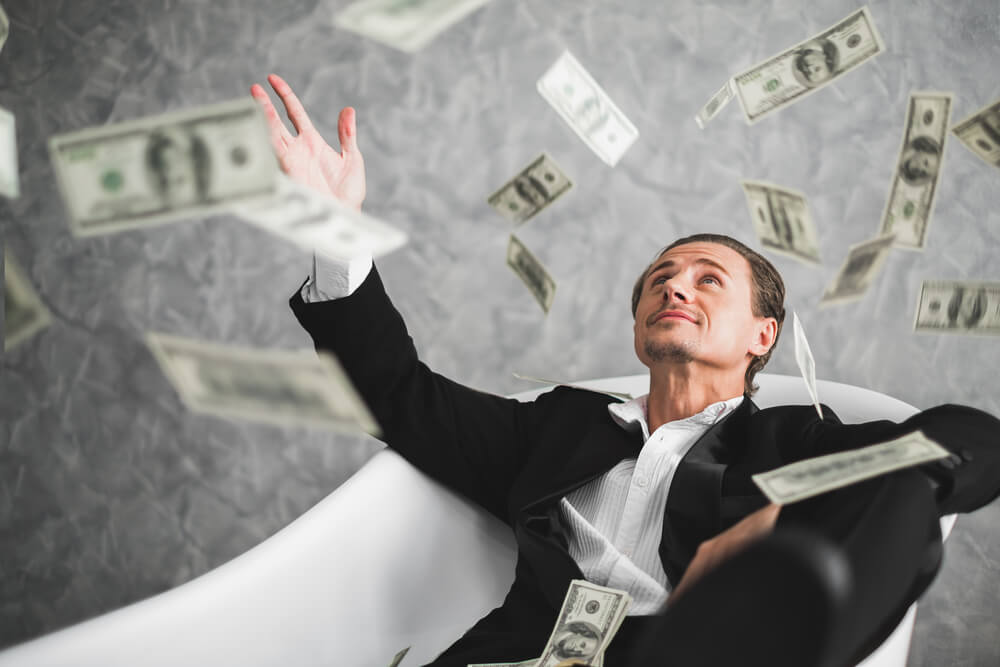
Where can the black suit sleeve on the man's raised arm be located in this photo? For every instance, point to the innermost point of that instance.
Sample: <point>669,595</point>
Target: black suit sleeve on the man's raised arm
<point>473,442</point>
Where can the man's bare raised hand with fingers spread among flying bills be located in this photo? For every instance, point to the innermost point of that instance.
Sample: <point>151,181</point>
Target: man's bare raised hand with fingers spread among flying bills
<point>306,157</point>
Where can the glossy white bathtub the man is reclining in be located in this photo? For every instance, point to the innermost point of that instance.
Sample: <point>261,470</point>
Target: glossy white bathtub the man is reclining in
<point>388,560</point>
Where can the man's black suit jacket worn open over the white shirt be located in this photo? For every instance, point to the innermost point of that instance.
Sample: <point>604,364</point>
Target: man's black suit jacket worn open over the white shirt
<point>518,459</point>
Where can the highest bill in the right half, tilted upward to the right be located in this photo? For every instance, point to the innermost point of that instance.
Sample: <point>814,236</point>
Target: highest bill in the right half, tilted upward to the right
<point>808,66</point>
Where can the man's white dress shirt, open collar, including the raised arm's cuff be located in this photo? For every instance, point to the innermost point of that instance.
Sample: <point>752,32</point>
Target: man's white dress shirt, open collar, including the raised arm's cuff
<point>613,523</point>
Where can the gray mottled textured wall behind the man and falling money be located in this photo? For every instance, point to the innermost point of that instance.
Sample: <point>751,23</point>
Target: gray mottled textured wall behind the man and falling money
<point>111,491</point>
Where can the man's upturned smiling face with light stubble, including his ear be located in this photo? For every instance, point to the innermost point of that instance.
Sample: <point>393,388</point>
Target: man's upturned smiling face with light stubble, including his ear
<point>695,307</point>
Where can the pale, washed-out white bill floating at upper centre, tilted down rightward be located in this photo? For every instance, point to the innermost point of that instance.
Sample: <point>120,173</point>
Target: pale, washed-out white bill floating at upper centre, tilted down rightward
<point>584,105</point>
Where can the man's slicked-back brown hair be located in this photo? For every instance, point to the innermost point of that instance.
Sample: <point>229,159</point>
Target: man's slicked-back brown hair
<point>767,292</point>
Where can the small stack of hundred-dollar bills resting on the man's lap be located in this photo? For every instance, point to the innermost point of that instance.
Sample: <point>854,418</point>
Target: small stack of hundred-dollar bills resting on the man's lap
<point>587,622</point>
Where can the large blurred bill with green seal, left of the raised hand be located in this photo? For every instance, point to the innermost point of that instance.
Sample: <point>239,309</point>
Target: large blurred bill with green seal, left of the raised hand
<point>161,168</point>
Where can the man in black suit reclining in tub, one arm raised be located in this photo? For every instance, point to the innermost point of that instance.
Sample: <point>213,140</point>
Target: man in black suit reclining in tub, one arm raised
<point>654,495</point>
